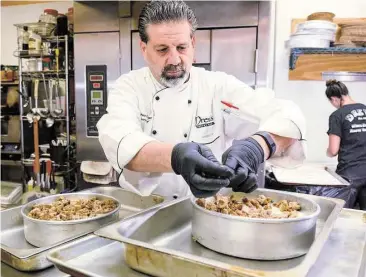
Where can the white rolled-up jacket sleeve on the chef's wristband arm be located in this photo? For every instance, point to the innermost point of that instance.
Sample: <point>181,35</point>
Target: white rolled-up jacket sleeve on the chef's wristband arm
<point>277,116</point>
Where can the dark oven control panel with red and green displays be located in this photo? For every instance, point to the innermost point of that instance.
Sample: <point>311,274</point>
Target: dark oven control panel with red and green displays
<point>96,96</point>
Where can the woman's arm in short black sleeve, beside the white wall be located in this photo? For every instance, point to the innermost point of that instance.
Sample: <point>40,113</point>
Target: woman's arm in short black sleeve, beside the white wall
<point>335,134</point>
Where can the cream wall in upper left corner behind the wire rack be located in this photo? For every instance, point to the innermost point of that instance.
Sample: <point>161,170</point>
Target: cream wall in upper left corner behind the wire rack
<point>17,14</point>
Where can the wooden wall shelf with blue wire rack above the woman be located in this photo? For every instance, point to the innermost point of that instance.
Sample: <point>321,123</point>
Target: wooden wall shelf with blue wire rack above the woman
<point>343,60</point>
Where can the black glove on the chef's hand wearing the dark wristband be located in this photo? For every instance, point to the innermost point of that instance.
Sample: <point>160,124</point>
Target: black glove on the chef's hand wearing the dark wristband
<point>244,158</point>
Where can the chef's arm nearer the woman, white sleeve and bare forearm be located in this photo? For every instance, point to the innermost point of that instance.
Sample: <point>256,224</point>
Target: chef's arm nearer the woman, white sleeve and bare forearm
<point>282,119</point>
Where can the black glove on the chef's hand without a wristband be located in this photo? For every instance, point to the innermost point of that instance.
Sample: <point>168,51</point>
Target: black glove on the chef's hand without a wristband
<point>200,169</point>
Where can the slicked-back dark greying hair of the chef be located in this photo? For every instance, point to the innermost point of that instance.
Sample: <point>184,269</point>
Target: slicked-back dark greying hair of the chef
<point>156,12</point>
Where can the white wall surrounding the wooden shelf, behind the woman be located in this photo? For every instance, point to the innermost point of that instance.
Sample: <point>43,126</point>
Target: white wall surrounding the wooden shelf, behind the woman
<point>309,95</point>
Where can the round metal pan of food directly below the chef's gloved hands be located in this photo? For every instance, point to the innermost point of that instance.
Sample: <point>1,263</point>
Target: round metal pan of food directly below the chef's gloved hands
<point>257,238</point>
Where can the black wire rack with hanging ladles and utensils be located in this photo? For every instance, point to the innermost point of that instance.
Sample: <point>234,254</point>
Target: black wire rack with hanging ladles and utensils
<point>50,83</point>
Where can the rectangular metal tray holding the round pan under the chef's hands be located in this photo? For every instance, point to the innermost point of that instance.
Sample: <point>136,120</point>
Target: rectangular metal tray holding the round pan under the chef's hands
<point>158,242</point>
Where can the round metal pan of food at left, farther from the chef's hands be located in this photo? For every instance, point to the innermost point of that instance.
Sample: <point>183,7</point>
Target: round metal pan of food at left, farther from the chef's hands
<point>43,233</point>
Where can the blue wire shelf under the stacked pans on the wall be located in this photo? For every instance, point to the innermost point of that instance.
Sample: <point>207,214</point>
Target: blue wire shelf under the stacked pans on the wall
<point>296,52</point>
